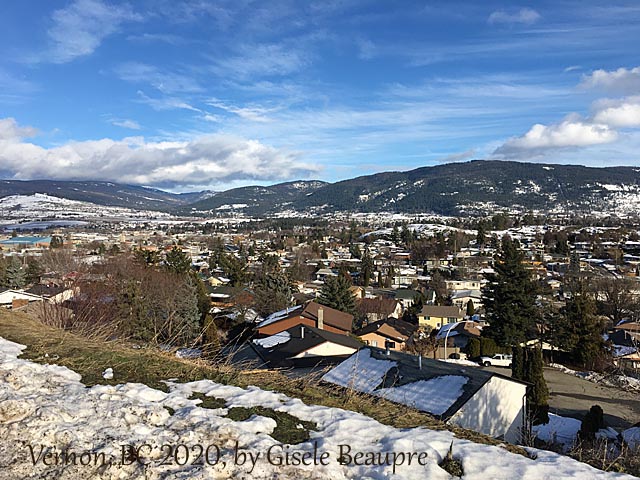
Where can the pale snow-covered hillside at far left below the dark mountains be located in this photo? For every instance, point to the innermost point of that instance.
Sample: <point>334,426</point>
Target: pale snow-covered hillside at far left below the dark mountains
<point>17,208</point>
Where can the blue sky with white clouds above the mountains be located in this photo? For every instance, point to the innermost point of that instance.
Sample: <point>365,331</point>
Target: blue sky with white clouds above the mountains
<point>185,95</point>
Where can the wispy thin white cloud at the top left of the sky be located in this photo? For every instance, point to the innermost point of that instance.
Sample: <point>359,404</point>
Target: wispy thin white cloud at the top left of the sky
<point>80,28</point>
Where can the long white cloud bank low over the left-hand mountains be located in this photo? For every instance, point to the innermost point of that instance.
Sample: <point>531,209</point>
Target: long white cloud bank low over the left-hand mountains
<point>202,161</point>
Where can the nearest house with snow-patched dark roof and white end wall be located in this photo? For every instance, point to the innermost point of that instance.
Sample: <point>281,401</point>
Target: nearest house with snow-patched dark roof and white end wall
<point>471,398</point>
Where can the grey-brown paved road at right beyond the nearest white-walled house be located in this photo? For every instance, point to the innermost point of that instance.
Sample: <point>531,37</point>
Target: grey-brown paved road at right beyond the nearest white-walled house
<point>571,396</point>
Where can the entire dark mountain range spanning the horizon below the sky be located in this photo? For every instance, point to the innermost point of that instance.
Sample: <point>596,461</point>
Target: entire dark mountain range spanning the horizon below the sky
<point>474,187</point>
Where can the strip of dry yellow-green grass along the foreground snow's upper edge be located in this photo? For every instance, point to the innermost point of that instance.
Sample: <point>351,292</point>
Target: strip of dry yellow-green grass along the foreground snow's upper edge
<point>90,357</point>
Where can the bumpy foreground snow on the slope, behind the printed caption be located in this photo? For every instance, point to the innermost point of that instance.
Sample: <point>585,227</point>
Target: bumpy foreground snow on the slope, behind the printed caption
<point>47,407</point>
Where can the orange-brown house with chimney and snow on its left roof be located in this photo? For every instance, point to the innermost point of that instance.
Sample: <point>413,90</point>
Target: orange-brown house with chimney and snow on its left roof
<point>311,314</point>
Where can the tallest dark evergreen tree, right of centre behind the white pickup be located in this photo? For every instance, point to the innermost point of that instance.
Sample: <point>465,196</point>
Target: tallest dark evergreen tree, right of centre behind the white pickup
<point>509,298</point>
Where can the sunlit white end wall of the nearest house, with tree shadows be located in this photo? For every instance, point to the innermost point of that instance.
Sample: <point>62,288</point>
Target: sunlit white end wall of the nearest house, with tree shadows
<point>497,409</point>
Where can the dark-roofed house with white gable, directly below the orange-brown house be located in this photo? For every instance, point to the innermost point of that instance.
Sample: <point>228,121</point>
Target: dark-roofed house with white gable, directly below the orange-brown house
<point>304,346</point>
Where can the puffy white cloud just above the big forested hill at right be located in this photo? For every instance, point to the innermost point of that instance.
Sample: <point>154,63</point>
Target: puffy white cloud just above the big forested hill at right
<point>572,132</point>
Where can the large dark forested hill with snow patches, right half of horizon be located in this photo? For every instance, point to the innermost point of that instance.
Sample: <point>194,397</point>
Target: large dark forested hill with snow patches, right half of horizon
<point>480,186</point>
